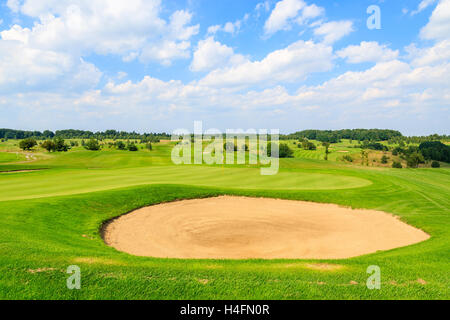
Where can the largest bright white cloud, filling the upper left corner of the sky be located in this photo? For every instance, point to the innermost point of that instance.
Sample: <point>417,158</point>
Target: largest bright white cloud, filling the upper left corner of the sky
<point>117,27</point>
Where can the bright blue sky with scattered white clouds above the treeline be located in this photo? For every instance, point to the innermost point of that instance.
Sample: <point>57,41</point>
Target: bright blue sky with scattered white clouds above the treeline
<point>154,66</point>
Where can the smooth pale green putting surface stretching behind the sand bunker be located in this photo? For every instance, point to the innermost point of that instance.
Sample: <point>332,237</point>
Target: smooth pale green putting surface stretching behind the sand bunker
<point>57,182</point>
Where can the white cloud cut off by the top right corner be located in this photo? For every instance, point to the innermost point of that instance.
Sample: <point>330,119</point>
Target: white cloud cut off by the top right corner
<point>438,28</point>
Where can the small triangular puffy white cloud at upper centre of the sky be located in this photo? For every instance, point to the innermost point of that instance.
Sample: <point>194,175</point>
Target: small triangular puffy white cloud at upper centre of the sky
<point>211,54</point>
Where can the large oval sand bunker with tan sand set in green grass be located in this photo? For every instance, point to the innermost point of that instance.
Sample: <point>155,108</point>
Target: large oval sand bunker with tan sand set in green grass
<point>246,228</point>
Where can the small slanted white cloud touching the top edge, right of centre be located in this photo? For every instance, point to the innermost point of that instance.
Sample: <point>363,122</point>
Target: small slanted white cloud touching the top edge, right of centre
<point>283,13</point>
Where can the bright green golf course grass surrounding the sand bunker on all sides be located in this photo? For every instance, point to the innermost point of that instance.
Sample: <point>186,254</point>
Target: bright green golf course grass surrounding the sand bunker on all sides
<point>50,219</point>
